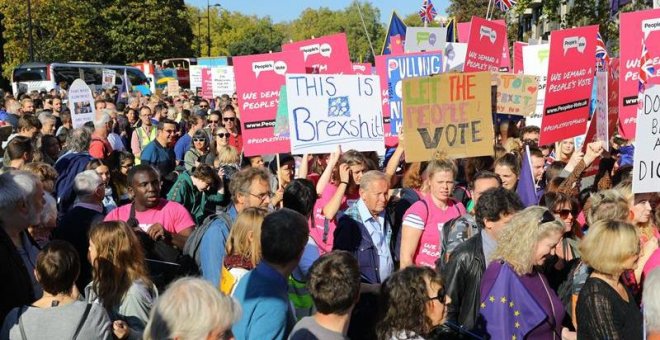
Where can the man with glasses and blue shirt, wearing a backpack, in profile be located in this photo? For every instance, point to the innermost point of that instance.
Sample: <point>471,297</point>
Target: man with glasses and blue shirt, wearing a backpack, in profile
<point>250,188</point>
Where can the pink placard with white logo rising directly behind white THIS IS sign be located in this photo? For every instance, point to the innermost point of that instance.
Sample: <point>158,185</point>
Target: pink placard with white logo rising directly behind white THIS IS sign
<point>324,55</point>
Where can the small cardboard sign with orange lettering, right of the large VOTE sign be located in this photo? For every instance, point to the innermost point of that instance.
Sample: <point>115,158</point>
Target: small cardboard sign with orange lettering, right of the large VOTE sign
<point>516,94</point>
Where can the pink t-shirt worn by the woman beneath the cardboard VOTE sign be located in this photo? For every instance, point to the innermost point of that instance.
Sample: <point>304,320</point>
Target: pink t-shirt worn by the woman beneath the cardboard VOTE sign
<point>417,216</point>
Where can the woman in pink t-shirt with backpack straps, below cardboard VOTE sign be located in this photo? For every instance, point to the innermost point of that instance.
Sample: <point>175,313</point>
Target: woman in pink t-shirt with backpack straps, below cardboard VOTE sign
<point>423,221</point>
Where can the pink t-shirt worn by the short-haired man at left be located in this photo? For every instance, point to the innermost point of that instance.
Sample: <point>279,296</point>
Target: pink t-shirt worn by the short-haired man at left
<point>173,216</point>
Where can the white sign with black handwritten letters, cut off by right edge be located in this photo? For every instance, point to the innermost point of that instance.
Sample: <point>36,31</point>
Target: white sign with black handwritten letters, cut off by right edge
<point>646,164</point>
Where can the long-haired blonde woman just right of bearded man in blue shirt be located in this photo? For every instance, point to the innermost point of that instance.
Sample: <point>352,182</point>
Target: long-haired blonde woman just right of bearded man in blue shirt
<point>243,248</point>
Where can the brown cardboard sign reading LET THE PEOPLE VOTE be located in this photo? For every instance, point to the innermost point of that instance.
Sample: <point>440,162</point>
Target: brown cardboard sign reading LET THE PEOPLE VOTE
<point>449,113</point>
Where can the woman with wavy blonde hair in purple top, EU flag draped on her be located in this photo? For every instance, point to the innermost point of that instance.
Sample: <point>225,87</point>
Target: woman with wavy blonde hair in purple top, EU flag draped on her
<point>524,245</point>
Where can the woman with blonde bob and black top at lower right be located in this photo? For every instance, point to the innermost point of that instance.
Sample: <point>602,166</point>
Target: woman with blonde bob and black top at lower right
<point>606,308</point>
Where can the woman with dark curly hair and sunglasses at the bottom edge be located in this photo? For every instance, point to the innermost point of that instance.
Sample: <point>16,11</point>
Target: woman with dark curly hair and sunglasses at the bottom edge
<point>414,303</point>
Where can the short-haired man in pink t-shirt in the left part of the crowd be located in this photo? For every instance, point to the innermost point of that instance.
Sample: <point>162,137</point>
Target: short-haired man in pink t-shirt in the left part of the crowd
<point>159,218</point>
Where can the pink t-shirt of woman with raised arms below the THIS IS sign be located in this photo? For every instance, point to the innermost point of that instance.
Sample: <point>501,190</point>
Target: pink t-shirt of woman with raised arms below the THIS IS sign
<point>317,231</point>
